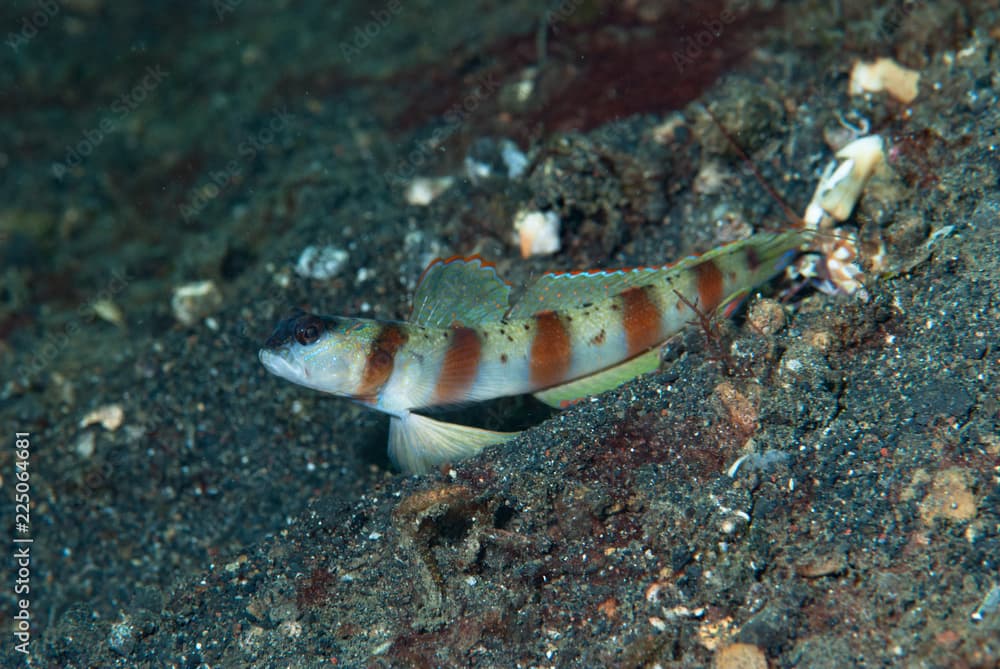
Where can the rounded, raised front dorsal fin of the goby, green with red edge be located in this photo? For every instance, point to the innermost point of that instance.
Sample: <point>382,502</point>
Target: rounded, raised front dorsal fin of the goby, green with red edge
<point>459,290</point>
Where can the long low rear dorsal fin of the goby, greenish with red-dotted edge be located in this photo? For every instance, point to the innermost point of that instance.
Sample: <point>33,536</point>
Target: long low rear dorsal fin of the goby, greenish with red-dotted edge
<point>561,290</point>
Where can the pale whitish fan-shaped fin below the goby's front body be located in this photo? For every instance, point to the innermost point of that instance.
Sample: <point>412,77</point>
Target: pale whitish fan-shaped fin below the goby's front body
<point>417,444</point>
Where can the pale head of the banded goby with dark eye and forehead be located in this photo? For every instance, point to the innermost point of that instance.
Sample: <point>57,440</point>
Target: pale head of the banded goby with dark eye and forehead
<point>319,352</point>
